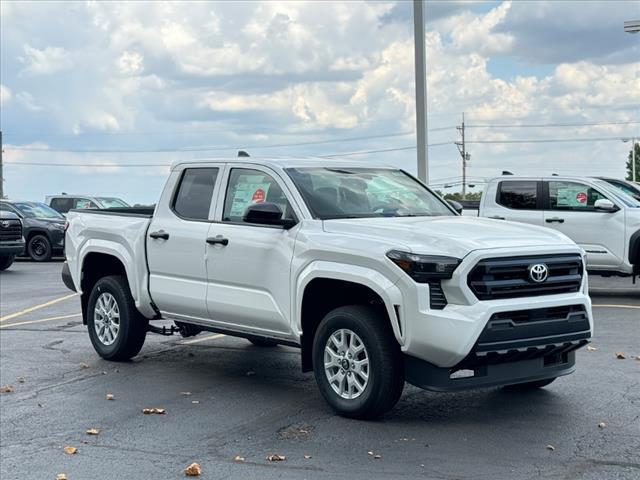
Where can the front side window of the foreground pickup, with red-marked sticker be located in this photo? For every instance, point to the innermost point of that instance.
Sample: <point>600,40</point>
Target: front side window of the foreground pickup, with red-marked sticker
<point>247,187</point>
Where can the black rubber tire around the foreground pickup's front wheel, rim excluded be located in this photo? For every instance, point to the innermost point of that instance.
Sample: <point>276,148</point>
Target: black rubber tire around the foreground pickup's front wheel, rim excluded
<point>386,369</point>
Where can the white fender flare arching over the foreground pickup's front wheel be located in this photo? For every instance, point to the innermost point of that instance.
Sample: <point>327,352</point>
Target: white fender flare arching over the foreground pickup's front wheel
<point>384,287</point>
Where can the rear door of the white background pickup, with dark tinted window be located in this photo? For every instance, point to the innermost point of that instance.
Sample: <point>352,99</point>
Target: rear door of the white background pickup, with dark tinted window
<point>515,200</point>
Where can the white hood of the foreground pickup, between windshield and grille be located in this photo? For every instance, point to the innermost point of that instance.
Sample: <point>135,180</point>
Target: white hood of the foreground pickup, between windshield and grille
<point>453,236</point>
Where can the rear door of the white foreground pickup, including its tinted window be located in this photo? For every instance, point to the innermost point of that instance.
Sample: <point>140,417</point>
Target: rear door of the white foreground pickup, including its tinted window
<point>176,242</point>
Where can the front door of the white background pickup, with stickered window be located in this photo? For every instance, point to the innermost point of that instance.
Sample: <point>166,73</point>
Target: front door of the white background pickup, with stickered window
<point>569,208</point>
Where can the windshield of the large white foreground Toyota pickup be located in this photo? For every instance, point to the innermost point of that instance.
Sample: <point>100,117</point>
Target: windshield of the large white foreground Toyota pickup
<point>364,192</point>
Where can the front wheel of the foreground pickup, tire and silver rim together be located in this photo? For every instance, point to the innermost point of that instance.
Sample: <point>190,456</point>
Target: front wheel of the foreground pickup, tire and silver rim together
<point>357,362</point>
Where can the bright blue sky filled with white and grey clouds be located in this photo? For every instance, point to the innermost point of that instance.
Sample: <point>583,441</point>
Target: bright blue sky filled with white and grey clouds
<point>101,97</point>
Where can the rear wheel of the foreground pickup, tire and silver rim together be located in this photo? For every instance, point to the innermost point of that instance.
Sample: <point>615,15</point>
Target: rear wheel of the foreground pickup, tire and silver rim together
<point>116,329</point>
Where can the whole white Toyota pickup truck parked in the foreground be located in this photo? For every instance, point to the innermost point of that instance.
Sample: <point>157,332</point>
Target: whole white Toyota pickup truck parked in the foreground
<point>374,277</point>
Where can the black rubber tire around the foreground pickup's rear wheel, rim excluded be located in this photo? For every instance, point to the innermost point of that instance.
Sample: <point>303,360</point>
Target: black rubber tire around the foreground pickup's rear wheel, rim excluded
<point>132,325</point>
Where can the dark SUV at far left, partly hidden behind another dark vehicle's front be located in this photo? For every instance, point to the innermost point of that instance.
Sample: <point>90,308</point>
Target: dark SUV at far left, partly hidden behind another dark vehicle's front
<point>43,228</point>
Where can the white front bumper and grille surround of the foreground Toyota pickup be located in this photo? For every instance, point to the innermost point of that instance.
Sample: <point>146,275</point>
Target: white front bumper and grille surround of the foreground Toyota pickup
<point>445,338</point>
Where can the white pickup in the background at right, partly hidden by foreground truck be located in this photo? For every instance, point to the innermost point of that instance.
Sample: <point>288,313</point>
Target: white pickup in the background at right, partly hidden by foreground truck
<point>594,213</point>
